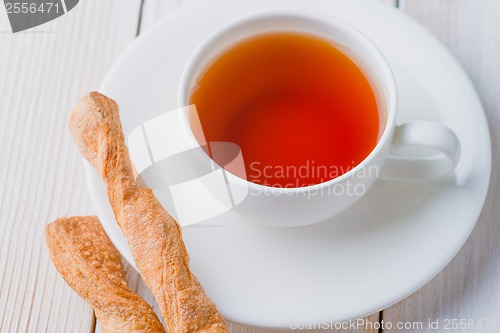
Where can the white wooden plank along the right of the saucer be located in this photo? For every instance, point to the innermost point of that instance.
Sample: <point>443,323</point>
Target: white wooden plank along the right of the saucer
<point>469,287</point>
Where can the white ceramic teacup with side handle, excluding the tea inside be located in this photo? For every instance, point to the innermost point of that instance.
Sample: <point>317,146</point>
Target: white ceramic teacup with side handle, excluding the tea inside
<point>307,205</point>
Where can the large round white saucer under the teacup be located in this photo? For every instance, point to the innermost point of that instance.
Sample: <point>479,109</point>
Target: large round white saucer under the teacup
<point>382,249</point>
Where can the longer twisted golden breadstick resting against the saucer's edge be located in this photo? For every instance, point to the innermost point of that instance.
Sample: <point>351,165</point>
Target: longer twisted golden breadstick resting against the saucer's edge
<point>154,237</point>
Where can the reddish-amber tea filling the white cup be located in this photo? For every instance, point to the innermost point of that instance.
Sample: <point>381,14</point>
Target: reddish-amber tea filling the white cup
<point>301,111</point>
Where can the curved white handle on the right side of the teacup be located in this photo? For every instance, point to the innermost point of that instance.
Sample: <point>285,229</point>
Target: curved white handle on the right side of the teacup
<point>422,134</point>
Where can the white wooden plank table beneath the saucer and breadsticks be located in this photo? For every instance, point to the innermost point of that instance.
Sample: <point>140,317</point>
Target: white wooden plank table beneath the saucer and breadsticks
<point>43,71</point>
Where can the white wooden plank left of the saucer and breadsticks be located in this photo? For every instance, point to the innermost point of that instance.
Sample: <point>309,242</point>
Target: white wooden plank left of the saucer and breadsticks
<point>43,73</point>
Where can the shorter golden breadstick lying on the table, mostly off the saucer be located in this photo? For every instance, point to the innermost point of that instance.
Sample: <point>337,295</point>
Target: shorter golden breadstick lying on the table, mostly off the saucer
<point>91,265</point>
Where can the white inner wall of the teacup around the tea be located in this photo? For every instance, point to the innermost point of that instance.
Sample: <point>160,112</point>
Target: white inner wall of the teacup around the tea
<point>343,36</point>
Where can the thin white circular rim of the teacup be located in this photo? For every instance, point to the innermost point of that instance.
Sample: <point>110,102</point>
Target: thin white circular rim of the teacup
<point>376,56</point>
